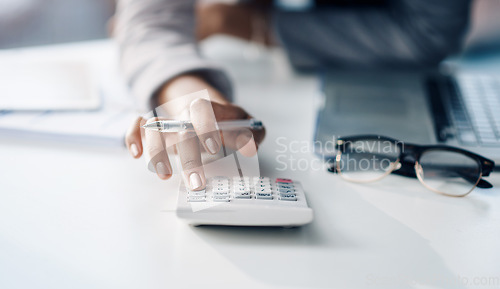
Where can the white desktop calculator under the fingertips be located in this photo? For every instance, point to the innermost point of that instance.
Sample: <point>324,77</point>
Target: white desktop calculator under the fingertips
<point>245,201</point>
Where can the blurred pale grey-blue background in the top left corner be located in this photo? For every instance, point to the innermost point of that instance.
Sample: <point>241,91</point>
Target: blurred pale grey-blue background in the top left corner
<point>42,22</point>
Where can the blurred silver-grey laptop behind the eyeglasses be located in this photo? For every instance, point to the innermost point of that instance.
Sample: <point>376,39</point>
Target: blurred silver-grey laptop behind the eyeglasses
<point>424,107</point>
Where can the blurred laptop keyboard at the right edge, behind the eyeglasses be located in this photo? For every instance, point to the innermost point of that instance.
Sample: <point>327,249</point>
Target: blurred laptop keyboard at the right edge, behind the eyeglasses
<point>476,110</point>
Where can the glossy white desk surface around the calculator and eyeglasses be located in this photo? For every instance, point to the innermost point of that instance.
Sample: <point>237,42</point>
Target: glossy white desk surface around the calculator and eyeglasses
<point>82,217</point>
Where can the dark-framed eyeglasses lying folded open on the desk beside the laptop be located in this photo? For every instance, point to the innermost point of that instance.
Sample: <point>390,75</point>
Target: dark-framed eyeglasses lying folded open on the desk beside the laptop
<point>442,169</point>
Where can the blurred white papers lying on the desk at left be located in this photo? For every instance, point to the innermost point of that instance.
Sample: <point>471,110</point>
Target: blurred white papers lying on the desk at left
<point>104,124</point>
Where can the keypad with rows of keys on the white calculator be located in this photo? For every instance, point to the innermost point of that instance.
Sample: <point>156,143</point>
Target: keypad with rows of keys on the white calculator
<point>224,189</point>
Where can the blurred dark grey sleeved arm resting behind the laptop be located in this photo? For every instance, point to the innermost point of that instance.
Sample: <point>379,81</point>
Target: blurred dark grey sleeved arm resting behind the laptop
<point>406,33</point>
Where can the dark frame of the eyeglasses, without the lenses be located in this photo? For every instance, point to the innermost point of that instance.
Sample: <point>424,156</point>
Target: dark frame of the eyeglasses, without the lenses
<point>416,151</point>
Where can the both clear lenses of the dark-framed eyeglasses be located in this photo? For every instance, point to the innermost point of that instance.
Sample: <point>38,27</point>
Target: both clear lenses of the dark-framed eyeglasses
<point>440,170</point>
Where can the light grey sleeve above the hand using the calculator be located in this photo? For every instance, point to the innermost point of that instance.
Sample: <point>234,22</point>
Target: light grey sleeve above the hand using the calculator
<point>157,41</point>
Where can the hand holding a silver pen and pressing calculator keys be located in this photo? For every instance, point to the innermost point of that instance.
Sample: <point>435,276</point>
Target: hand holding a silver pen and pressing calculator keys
<point>203,114</point>
